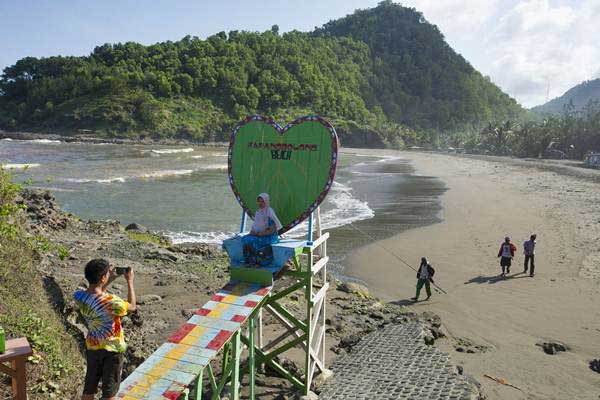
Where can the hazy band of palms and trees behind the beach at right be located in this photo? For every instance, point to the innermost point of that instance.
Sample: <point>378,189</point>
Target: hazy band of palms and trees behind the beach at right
<point>573,134</point>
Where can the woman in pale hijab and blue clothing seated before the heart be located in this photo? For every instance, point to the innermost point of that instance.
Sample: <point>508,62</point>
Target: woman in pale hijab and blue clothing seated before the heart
<point>257,244</point>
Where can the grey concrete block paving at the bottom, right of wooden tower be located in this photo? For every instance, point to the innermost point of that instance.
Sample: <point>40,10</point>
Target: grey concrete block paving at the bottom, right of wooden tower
<point>395,363</point>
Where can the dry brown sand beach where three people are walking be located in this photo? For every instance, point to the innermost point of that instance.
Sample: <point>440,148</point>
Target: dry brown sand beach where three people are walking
<point>503,319</point>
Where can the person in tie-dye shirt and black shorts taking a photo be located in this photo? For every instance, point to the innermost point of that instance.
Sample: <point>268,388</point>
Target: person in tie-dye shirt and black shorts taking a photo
<point>105,341</point>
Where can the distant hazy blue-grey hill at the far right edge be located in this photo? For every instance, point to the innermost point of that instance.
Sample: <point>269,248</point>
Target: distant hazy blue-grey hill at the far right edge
<point>576,98</point>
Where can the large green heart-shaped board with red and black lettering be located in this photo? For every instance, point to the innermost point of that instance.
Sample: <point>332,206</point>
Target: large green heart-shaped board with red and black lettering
<point>295,165</point>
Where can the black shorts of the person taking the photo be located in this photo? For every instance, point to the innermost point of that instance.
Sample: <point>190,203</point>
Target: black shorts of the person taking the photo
<point>106,366</point>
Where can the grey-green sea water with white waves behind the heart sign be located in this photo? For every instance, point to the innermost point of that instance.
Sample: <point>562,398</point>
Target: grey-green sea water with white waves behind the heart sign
<point>183,191</point>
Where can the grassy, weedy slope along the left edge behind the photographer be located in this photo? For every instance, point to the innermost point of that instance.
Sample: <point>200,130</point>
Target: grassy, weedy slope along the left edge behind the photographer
<point>25,308</point>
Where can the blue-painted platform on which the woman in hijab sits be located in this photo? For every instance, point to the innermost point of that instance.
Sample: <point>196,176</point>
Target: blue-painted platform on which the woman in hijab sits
<point>282,252</point>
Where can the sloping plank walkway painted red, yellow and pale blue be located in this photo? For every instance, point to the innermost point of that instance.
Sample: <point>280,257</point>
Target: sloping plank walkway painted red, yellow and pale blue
<point>175,365</point>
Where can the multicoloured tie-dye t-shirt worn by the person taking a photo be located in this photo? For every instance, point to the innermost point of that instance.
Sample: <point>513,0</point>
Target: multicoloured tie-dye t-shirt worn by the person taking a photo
<point>102,313</point>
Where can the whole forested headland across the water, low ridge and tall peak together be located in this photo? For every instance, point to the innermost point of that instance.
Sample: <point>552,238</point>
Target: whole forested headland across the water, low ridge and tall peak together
<point>385,76</point>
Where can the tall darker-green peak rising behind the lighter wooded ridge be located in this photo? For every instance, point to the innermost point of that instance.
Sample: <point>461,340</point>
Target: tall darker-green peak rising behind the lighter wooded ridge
<point>417,78</point>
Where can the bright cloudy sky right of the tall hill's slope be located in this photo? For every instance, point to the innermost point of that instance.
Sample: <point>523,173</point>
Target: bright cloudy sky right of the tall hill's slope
<point>526,46</point>
